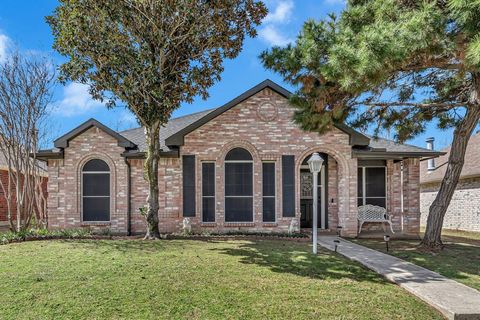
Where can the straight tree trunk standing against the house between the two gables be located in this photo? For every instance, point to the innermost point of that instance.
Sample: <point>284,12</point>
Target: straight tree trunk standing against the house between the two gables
<point>151,174</point>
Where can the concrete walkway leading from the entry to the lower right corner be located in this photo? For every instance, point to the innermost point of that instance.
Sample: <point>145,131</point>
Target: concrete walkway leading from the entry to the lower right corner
<point>453,299</point>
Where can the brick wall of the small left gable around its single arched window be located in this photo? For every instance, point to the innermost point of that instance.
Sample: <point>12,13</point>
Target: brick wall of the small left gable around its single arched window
<point>64,186</point>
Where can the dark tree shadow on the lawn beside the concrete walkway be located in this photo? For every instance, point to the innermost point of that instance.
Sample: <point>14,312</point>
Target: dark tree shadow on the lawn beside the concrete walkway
<point>296,259</point>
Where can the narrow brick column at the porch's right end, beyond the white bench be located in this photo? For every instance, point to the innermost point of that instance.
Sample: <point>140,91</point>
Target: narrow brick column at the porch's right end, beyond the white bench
<point>411,196</point>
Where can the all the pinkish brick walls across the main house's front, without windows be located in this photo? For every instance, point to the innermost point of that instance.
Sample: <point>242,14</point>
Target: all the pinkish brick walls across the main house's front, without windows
<point>261,124</point>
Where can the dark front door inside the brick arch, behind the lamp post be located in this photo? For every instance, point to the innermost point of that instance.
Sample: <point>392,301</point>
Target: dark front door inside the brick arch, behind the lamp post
<point>306,199</point>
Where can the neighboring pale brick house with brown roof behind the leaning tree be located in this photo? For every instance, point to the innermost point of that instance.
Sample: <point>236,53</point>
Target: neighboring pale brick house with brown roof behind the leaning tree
<point>464,210</point>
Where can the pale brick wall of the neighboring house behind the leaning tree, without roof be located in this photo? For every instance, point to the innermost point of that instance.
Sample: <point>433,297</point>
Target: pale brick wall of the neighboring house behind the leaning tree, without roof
<point>464,210</point>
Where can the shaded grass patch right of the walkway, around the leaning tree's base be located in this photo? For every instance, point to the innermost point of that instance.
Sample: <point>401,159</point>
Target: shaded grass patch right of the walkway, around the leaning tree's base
<point>459,260</point>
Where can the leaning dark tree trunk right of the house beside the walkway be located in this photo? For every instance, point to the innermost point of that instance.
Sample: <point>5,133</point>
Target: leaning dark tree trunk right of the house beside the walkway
<point>432,239</point>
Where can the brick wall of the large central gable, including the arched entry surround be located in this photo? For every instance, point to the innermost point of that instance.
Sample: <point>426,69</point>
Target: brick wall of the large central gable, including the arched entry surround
<point>267,133</point>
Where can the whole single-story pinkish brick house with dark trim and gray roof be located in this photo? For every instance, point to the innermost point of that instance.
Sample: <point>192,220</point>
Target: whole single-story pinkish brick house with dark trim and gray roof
<point>238,167</point>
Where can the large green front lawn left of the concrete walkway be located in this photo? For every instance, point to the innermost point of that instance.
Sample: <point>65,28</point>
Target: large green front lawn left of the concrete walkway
<point>186,279</point>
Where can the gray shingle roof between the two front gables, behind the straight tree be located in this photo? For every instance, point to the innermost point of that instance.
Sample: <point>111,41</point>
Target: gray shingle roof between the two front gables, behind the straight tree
<point>137,135</point>
